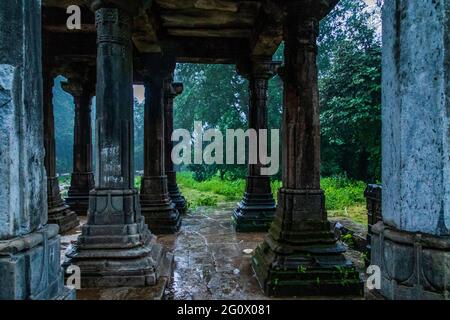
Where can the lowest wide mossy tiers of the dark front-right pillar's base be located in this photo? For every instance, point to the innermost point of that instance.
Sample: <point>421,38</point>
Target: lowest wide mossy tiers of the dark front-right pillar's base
<point>320,270</point>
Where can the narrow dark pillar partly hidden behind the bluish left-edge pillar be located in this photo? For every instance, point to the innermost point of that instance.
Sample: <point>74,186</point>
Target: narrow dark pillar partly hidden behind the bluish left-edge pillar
<point>58,211</point>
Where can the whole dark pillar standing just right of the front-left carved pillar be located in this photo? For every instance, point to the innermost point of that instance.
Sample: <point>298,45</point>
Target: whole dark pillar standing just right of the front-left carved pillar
<point>160,213</point>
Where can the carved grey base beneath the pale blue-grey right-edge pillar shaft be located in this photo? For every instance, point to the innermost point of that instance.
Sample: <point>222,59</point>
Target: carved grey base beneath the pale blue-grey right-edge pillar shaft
<point>413,266</point>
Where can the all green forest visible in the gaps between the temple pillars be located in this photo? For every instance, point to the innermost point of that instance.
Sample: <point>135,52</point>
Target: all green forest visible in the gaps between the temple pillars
<point>349,65</point>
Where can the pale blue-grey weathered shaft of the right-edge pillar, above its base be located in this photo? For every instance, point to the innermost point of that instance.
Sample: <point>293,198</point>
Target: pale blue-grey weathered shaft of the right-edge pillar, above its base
<point>416,109</point>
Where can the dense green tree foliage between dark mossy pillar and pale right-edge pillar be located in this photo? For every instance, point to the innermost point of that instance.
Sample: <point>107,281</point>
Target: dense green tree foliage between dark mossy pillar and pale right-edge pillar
<point>350,88</point>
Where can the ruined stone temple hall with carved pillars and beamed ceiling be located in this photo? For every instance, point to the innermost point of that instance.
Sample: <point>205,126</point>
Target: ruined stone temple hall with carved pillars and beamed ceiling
<point>122,43</point>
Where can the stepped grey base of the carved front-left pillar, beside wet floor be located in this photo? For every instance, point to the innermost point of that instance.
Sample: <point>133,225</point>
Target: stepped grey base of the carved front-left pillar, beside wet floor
<point>116,249</point>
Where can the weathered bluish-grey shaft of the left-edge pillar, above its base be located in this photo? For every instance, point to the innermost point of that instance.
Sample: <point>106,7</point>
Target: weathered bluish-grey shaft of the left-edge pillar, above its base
<point>22,185</point>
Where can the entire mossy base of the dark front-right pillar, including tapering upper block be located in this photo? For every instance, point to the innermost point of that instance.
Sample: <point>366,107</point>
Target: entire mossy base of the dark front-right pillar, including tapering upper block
<point>301,255</point>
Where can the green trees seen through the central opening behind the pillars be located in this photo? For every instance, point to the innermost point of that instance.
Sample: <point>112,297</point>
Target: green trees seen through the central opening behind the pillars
<point>218,97</point>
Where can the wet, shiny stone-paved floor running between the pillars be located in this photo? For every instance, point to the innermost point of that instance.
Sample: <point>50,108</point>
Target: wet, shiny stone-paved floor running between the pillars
<point>212,261</point>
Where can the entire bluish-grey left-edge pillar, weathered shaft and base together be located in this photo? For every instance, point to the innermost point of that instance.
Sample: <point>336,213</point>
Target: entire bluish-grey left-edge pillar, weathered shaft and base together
<point>29,247</point>
